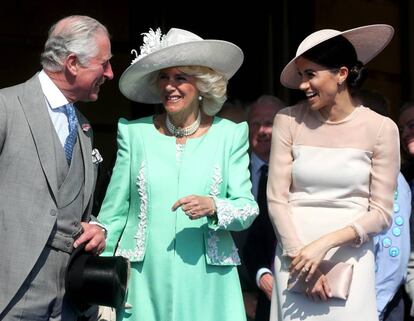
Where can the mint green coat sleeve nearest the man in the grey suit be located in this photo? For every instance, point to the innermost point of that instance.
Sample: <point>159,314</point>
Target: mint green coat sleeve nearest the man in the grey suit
<point>114,211</point>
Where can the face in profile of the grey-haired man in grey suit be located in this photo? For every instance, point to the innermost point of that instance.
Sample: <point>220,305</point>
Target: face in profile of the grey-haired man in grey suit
<point>89,78</point>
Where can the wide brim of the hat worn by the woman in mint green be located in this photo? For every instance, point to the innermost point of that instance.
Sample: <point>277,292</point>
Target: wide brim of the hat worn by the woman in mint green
<point>221,56</point>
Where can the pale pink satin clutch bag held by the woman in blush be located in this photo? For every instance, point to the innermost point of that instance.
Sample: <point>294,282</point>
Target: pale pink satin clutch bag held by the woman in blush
<point>339,275</point>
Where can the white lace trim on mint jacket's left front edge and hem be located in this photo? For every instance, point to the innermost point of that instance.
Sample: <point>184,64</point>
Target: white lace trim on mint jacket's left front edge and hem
<point>137,254</point>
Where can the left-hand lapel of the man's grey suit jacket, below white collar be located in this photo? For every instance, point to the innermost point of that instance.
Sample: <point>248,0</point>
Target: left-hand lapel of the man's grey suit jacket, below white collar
<point>35,109</point>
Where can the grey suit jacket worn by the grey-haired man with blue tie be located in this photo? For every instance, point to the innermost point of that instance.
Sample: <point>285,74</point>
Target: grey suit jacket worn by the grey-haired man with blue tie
<point>28,182</point>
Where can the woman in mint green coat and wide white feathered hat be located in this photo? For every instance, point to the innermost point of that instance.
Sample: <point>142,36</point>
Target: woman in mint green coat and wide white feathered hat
<point>180,184</point>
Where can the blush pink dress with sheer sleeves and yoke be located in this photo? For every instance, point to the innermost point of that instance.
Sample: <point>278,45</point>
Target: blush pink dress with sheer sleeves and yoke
<point>324,176</point>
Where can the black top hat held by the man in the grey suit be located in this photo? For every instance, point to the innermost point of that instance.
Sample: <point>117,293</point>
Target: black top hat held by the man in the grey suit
<point>96,280</point>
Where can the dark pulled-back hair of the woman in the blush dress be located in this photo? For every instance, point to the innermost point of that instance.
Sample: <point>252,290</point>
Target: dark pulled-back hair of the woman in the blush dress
<point>336,53</point>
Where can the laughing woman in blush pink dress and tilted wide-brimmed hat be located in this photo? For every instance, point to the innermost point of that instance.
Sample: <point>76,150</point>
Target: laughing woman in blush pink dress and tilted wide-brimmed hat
<point>332,176</point>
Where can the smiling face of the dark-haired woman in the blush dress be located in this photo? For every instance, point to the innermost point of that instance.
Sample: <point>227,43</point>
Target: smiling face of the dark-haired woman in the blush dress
<point>319,84</point>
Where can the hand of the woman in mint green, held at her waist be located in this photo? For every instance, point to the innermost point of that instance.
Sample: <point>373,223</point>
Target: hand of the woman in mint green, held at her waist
<point>195,206</point>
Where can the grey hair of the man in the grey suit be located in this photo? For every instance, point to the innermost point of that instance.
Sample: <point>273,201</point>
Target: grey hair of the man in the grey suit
<point>73,34</point>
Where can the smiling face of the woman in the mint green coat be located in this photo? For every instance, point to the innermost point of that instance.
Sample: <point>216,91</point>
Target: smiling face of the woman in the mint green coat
<point>178,91</point>
